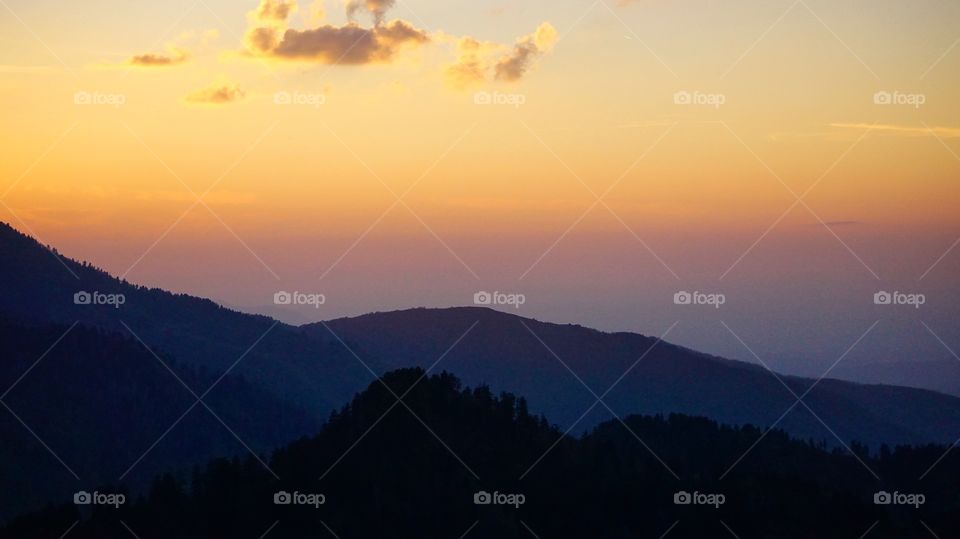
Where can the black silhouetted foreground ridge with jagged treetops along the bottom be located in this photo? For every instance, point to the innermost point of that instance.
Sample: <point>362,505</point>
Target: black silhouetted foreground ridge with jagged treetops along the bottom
<point>430,468</point>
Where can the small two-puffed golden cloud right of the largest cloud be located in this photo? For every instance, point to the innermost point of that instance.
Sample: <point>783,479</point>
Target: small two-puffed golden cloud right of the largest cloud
<point>477,61</point>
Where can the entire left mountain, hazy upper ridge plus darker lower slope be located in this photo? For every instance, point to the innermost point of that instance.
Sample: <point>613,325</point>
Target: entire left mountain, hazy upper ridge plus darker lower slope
<point>100,398</point>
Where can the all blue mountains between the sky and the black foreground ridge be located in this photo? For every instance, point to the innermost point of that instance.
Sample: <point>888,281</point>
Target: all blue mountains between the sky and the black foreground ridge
<point>282,381</point>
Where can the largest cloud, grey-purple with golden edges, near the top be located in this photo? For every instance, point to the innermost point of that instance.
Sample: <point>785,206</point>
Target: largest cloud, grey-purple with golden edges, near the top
<point>349,44</point>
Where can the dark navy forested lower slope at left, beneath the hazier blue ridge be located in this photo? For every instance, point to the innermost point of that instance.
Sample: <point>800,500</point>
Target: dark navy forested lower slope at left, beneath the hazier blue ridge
<point>86,407</point>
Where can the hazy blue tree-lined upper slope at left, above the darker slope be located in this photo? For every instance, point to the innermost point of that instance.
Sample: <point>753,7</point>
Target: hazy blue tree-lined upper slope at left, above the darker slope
<point>314,373</point>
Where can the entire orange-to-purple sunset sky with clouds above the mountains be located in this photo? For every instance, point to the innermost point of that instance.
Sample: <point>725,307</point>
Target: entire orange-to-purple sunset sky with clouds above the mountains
<point>796,157</point>
